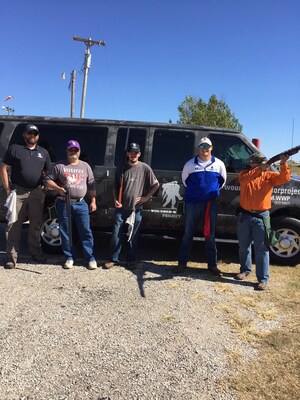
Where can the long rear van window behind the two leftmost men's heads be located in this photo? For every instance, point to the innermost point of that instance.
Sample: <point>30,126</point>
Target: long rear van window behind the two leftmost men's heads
<point>54,138</point>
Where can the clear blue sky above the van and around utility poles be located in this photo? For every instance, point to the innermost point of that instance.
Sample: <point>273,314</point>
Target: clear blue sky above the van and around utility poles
<point>158,51</point>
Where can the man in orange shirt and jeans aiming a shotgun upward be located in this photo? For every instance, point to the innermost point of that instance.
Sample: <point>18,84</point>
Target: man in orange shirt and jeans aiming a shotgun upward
<point>256,187</point>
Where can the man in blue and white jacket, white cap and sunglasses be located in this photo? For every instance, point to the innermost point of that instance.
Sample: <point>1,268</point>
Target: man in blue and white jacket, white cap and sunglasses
<point>203,177</point>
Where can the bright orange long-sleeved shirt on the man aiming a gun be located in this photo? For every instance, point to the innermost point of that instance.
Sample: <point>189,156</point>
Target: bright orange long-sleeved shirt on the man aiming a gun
<point>256,186</point>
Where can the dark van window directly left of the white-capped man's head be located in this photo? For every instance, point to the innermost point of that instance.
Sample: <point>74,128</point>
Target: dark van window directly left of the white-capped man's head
<point>172,149</point>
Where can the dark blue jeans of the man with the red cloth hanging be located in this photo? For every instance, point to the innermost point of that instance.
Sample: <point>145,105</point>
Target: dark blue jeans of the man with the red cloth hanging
<point>194,214</point>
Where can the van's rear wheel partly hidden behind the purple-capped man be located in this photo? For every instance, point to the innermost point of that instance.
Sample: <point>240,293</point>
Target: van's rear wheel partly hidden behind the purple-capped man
<point>50,236</point>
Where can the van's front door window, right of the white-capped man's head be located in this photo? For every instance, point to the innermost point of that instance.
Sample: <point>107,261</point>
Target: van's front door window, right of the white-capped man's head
<point>232,151</point>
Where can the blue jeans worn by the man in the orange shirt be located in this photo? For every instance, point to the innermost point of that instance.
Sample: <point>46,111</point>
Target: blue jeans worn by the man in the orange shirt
<point>252,228</point>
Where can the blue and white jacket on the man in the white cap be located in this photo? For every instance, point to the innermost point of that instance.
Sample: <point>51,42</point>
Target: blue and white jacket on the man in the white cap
<point>203,183</point>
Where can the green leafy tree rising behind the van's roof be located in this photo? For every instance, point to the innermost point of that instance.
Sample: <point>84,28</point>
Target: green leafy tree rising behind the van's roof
<point>213,113</point>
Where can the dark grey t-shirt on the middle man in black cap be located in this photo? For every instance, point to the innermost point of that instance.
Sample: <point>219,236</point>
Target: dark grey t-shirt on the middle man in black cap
<point>138,179</point>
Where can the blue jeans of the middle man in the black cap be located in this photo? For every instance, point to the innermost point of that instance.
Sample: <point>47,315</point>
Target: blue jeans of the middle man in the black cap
<point>117,235</point>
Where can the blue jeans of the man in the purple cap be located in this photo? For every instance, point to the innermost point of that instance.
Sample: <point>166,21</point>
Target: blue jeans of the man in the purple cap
<point>80,215</point>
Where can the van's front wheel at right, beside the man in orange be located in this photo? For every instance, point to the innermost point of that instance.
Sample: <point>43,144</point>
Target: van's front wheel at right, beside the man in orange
<point>287,251</point>
